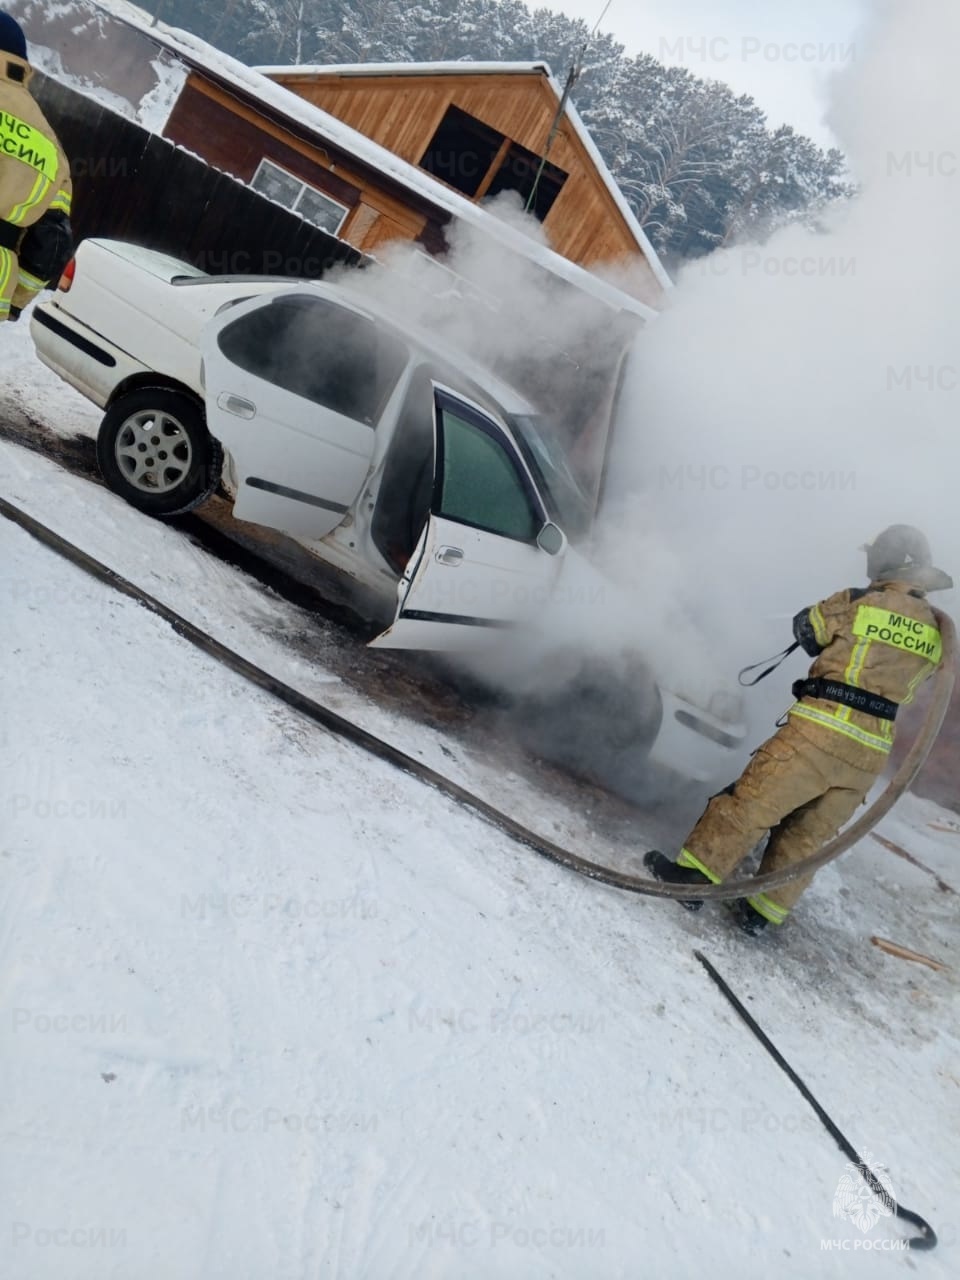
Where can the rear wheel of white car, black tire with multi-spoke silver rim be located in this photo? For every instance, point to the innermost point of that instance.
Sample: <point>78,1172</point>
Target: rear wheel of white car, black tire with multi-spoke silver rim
<point>154,451</point>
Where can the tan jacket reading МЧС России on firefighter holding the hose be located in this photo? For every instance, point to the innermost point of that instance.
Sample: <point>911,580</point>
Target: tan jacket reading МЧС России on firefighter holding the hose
<point>871,644</point>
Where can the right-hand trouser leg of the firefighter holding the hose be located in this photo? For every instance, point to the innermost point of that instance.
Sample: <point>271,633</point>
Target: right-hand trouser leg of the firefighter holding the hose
<point>802,835</point>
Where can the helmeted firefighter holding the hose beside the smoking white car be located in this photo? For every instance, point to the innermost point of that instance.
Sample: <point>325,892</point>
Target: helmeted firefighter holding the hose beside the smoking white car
<point>874,647</point>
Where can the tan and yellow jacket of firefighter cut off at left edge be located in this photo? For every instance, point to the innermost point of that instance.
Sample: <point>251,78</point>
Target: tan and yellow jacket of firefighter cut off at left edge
<point>35,177</point>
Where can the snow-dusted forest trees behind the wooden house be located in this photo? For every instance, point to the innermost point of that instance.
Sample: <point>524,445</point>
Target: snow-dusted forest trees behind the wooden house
<point>700,164</point>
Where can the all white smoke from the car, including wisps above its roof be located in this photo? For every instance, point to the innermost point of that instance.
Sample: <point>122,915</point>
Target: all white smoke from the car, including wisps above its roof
<point>794,399</point>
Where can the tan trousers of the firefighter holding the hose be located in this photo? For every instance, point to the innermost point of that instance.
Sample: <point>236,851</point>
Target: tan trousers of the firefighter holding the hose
<point>793,789</point>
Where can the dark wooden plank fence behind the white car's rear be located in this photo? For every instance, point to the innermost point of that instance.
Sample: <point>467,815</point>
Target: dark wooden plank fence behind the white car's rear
<point>132,185</point>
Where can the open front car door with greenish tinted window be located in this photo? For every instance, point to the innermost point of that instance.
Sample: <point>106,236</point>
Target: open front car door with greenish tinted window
<point>488,557</point>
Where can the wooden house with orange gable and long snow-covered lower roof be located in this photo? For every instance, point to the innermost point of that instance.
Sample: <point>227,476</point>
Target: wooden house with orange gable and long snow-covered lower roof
<point>373,154</point>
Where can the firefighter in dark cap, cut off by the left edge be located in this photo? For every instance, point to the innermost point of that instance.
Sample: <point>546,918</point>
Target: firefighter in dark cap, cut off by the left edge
<point>35,185</point>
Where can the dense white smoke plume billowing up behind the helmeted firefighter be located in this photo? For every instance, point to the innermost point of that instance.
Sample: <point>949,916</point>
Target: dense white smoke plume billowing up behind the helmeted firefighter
<point>802,395</point>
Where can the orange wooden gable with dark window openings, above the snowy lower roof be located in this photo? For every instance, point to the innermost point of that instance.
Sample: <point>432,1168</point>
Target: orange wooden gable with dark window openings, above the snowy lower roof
<point>483,129</point>
